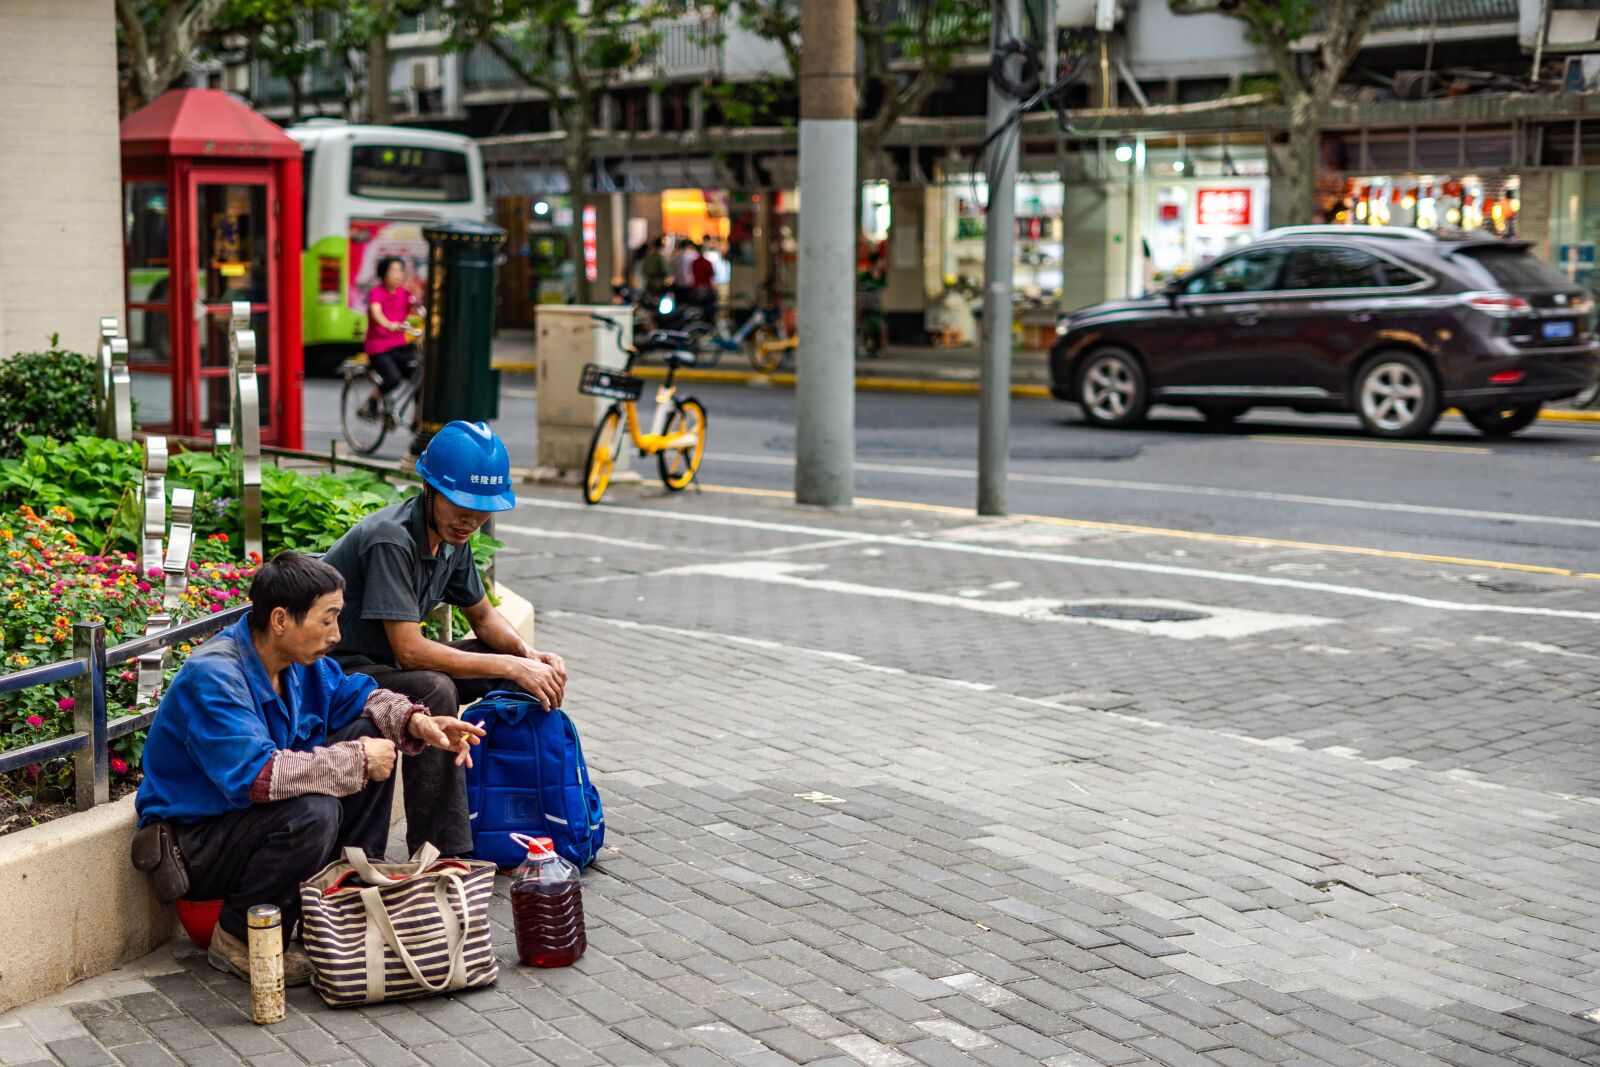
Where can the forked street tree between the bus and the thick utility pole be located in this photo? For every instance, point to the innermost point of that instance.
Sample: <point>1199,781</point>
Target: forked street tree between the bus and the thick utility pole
<point>570,52</point>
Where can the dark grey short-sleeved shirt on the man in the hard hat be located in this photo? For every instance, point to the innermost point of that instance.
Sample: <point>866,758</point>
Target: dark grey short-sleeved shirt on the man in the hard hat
<point>391,575</point>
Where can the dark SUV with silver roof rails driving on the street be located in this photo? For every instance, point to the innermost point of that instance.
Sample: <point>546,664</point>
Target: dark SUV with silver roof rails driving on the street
<point>1394,326</point>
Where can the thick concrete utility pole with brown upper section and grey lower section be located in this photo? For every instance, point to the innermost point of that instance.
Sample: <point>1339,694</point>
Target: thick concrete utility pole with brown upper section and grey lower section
<point>826,366</point>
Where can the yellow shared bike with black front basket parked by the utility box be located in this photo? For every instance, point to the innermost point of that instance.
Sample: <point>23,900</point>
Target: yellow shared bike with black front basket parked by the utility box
<point>678,433</point>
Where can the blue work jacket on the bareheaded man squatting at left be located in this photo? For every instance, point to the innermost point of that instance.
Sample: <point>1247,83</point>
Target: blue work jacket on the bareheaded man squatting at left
<point>222,722</point>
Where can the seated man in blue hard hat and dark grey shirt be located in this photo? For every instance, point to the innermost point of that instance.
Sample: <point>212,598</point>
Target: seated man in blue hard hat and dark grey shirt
<point>402,562</point>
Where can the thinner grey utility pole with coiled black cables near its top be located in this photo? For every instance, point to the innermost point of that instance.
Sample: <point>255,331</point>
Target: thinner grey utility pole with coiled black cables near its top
<point>994,406</point>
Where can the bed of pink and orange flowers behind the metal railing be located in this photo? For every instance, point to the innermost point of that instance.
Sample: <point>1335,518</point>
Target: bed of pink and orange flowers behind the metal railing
<point>50,583</point>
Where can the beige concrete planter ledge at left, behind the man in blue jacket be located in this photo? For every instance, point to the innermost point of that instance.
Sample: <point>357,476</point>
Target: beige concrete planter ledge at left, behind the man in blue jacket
<point>76,908</point>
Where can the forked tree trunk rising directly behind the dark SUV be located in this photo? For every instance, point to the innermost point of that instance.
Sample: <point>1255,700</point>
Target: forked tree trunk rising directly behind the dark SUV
<point>1308,84</point>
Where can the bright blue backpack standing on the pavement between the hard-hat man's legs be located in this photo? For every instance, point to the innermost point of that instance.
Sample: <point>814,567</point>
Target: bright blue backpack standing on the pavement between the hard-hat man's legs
<point>529,777</point>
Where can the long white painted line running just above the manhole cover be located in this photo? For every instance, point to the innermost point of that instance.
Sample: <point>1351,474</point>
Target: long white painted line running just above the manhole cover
<point>1071,561</point>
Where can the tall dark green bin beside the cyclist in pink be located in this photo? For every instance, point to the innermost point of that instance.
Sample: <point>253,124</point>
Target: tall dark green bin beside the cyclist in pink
<point>458,383</point>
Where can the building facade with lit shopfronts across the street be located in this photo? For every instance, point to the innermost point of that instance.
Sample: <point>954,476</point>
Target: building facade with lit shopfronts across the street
<point>1169,151</point>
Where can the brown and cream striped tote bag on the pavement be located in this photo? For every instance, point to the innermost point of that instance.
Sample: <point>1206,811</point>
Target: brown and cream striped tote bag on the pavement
<point>394,932</point>
